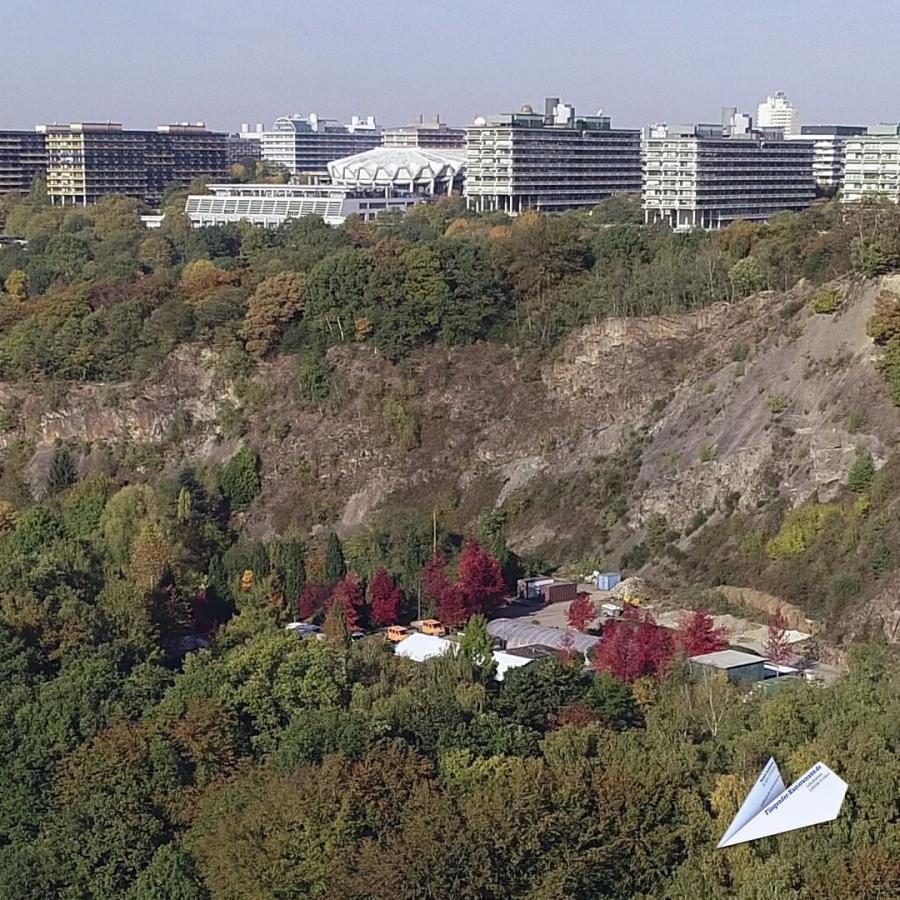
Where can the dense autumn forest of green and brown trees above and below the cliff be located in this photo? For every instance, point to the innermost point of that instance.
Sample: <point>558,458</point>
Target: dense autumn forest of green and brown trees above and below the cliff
<point>163,736</point>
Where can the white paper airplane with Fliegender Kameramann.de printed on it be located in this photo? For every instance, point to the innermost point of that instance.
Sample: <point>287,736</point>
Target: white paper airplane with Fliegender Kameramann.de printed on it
<point>770,808</point>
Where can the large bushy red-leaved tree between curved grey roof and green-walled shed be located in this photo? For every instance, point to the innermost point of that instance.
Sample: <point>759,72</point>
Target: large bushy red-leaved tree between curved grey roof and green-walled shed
<point>633,646</point>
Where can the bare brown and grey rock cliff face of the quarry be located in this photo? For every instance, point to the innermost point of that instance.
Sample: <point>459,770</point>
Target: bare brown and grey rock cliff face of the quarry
<point>733,404</point>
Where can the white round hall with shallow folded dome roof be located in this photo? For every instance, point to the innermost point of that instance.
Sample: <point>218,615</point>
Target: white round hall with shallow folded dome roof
<point>416,170</point>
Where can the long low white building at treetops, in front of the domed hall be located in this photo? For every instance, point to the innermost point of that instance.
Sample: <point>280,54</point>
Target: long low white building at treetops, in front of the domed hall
<point>271,205</point>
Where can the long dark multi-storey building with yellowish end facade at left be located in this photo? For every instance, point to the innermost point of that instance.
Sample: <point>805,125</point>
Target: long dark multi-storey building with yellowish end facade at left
<point>88,160</point>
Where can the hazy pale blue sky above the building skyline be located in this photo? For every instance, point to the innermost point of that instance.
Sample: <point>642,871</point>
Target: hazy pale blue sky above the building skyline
<point>232,61</point>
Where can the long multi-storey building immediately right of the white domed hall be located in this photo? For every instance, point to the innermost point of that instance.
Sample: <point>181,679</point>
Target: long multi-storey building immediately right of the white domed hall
<point>551,161</point>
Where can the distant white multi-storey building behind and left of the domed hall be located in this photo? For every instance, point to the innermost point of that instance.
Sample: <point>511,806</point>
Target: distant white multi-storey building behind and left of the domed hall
<point>307,145</point>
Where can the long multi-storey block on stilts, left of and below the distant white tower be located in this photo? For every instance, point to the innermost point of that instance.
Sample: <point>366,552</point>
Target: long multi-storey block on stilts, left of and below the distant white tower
<point>707,176</point>
